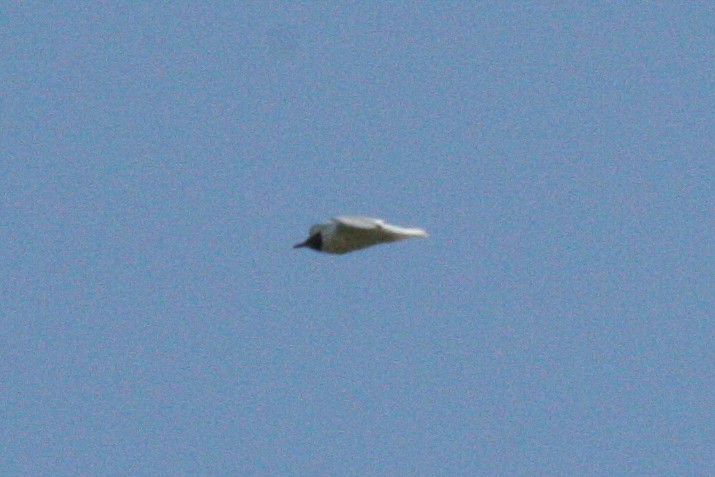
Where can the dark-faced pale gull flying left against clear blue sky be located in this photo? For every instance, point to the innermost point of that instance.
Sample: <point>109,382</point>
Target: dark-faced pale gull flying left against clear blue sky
<point>347,234</point>
